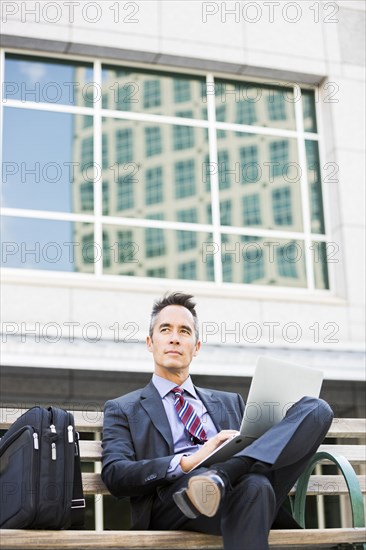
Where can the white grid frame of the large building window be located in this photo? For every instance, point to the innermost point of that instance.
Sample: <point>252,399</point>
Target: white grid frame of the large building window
<point>213,127</point>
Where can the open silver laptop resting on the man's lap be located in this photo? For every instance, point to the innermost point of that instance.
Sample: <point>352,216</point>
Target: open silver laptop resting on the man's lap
<point>275,387</point>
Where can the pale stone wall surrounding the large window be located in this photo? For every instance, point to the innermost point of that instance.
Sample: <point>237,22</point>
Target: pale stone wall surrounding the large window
<point>303,42</point>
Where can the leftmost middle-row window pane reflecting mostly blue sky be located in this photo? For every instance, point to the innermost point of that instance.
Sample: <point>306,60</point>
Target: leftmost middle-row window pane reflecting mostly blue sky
<point>43,164</point>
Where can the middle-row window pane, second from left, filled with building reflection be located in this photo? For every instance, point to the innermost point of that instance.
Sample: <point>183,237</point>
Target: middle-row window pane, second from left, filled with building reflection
<point>158,178</point>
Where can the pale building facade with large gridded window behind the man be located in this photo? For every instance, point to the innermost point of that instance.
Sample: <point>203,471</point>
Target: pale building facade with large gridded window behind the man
<point>211,147</point>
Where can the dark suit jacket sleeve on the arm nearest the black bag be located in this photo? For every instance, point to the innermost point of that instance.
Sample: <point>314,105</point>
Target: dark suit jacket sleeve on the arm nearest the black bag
<point>125,470</point>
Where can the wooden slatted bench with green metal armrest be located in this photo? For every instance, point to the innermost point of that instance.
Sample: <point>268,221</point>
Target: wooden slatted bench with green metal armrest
<point>343,454</point>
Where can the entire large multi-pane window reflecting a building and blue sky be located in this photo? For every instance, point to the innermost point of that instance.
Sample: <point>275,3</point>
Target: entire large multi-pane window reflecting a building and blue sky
<point>158,170</point>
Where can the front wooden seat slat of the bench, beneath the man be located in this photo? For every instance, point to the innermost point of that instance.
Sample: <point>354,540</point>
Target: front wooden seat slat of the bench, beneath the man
<point>180,540</point>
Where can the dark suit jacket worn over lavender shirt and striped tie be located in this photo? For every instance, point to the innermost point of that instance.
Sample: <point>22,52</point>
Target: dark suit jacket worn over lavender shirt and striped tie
<point>138,444</point>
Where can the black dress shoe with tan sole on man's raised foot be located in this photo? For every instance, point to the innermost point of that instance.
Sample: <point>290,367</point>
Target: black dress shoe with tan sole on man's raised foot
<point>202,496</point>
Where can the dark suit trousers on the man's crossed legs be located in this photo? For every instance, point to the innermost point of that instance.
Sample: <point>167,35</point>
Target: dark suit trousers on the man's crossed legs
<point>252,501</point>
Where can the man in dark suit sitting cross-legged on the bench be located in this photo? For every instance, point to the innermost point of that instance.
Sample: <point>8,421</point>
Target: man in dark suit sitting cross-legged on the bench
<point>153,437</point>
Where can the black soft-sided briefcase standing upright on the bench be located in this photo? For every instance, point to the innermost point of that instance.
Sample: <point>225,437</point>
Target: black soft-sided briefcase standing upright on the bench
<point>40,479</point>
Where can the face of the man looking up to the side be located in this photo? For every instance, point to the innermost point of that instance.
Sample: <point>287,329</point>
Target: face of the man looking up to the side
<point>173,343</point>
